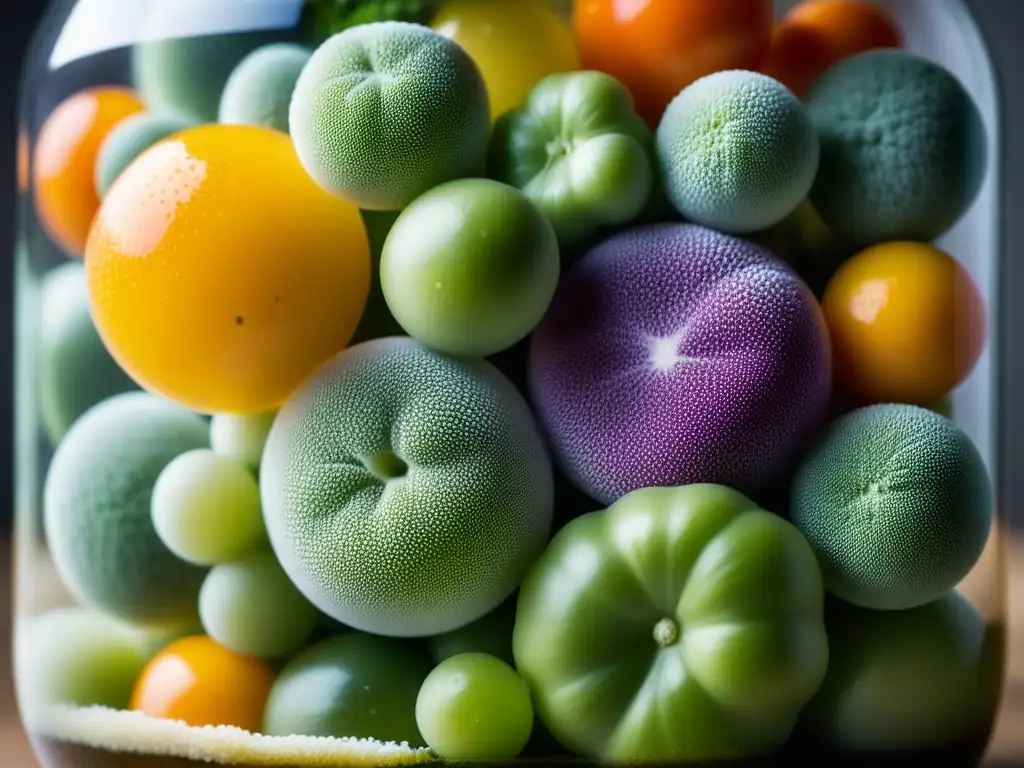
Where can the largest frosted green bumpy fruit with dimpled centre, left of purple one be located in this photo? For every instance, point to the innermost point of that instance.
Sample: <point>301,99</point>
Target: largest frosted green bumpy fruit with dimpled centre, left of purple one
<point>434,480</point>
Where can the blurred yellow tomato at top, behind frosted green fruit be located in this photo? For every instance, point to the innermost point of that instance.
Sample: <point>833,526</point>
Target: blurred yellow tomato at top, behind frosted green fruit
<point>516,44</point>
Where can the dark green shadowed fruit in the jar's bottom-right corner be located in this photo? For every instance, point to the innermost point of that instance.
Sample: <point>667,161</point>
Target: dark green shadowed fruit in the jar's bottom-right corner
<point>899,680</point>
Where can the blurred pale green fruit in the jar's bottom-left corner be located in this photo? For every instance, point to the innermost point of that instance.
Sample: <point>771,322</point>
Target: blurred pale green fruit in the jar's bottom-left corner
<point>78,658</point>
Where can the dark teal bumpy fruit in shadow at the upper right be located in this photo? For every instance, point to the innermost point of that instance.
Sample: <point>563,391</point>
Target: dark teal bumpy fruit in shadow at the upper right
<point>909,162</point>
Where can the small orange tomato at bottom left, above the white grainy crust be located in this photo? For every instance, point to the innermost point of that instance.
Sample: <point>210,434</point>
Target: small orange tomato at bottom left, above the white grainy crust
<point>199,682</point>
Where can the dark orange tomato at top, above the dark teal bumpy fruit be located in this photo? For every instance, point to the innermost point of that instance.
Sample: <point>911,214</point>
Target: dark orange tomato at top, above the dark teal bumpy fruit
<point>820,34</point>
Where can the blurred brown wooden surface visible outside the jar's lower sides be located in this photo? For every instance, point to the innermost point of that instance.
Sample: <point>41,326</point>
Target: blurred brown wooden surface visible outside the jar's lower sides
<point>1008,747</point>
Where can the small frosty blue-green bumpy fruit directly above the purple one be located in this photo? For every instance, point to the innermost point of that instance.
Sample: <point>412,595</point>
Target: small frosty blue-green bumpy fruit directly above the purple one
<point>738,151</point>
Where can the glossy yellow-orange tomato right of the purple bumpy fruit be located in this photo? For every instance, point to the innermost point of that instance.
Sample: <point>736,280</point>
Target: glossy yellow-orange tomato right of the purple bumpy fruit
<point>907,322</point>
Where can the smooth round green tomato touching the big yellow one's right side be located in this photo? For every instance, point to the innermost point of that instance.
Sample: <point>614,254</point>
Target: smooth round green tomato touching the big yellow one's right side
<point>471,268</point>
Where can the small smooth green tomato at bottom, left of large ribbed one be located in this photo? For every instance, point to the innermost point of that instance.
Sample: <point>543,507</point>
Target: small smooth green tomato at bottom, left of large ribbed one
<point>475,707</point>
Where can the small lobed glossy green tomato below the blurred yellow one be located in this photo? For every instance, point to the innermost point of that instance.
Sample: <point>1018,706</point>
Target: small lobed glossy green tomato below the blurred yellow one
<point>578,149</point>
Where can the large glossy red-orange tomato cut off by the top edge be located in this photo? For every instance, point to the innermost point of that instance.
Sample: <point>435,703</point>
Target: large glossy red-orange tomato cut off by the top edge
<point>658,48</point>
